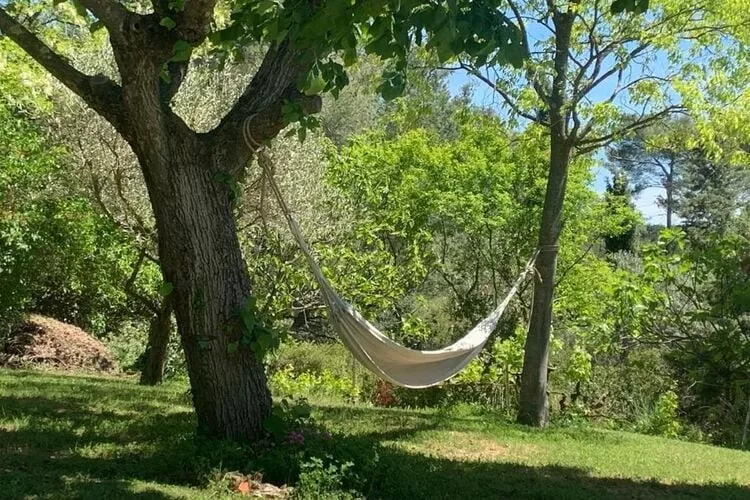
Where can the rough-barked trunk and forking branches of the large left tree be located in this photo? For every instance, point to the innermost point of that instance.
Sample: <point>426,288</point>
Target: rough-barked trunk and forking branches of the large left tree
<point>198,246</point>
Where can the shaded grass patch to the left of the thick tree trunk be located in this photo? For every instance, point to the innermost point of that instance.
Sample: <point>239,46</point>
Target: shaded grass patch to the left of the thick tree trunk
<point>61,449</point>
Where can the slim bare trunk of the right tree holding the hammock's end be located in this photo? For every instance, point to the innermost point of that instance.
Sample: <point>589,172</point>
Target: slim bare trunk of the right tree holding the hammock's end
<point>533,402</point>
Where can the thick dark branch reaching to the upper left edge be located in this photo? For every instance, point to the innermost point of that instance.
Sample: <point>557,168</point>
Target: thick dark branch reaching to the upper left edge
<point>99,92</point>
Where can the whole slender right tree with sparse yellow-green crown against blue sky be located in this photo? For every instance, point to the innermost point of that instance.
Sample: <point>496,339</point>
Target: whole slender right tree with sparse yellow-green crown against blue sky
<point>595,76</point>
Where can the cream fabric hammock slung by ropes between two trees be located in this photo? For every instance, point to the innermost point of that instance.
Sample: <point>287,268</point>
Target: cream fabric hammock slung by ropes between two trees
<point>388,359</point>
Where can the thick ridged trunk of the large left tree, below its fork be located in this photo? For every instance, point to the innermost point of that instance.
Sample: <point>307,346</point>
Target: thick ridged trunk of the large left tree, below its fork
<point>201,258</point>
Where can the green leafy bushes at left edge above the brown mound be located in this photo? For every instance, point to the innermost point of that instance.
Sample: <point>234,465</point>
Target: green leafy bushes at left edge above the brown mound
<point>58,255</point>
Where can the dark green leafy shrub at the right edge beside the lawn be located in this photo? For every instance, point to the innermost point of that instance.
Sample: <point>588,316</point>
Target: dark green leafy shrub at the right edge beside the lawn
<point>694,301</point>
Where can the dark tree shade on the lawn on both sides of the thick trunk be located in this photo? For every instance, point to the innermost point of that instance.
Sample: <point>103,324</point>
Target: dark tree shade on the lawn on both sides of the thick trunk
<point>61,449</point>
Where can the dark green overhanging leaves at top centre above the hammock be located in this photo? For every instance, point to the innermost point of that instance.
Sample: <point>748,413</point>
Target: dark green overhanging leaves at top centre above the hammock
<point>478,30</point>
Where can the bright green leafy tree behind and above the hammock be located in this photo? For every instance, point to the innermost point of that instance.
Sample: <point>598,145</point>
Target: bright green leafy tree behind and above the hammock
<point>429,212</point>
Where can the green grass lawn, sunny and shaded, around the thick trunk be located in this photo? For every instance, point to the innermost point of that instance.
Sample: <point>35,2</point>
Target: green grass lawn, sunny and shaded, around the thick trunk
<point>65,436</point>
